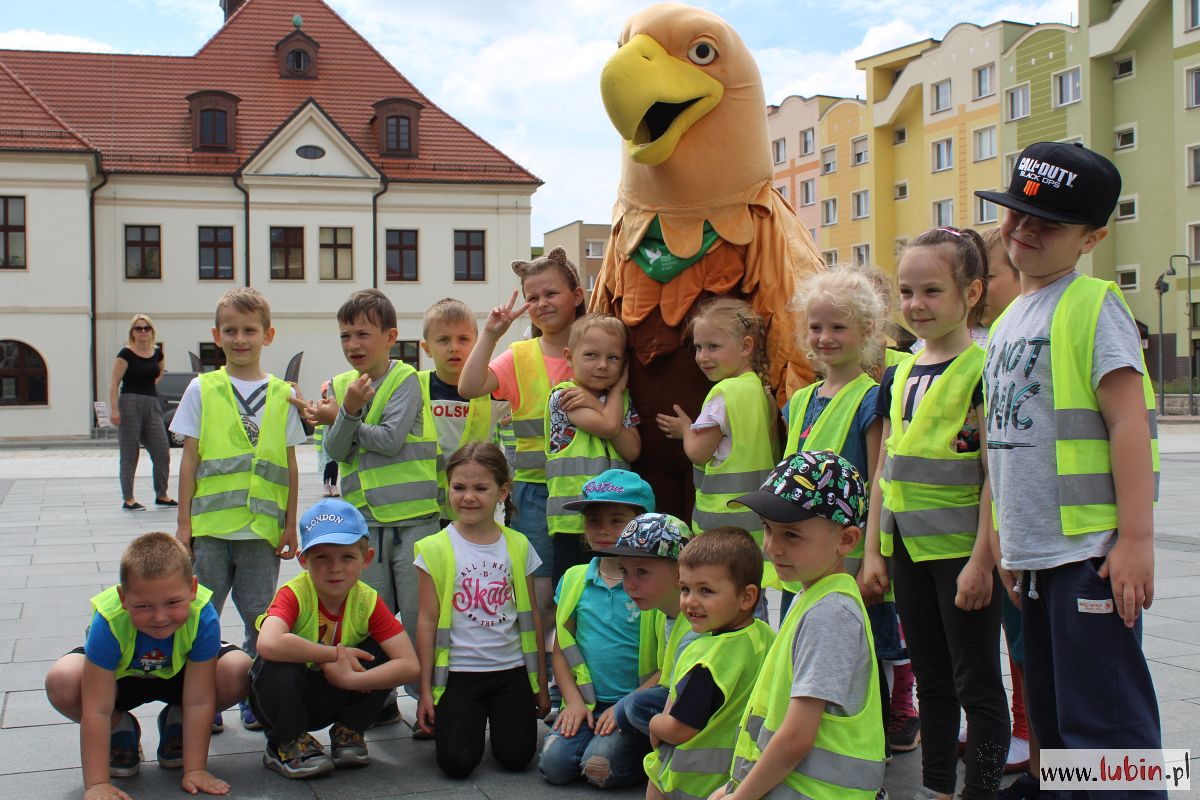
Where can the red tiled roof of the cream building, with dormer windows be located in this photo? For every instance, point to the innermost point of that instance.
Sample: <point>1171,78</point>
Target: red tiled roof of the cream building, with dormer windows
<point>134,109</point>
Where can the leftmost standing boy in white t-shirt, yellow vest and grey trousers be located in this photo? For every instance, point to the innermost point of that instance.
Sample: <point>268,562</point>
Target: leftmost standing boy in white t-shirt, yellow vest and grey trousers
<point>238,477</point>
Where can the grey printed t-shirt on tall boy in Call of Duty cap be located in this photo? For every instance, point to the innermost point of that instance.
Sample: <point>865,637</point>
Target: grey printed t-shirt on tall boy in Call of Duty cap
<point>1019,388</point>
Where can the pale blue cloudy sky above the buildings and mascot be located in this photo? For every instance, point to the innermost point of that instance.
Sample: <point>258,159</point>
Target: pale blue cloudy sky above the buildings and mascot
<point>526,75</point>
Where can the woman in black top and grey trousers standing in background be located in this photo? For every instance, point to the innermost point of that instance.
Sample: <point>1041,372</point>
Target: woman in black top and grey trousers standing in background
<point>137,414</point>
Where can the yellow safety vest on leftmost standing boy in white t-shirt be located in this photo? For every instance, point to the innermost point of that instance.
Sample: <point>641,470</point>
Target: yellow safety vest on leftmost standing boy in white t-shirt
<point>239,486</point>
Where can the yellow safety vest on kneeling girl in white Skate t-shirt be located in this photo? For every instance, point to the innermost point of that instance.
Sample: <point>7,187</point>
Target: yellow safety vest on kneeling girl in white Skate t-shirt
<point>439,555</point>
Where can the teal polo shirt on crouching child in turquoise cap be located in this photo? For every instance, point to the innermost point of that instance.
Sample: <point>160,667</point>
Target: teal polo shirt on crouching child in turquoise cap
<point>607,629</point>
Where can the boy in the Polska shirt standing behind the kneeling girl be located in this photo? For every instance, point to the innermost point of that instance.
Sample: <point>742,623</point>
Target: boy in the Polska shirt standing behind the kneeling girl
<point>449,333</point>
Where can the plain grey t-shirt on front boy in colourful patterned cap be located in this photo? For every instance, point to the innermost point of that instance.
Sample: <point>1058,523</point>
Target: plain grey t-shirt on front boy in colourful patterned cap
<point>830,647</point>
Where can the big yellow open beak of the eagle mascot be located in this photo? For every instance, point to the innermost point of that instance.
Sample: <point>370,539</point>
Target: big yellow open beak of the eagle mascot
<point>653,98</point>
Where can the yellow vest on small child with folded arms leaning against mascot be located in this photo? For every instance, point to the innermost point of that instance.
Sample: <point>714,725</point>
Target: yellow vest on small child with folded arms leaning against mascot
<point>574,466</point>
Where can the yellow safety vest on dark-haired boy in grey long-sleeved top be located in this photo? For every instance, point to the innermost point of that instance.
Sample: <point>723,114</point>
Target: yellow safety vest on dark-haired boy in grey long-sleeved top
<point>398,488</point>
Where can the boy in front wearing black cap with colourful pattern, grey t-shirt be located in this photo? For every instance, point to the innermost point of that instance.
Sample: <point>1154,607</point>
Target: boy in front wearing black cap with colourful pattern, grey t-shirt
<point>812,727</point>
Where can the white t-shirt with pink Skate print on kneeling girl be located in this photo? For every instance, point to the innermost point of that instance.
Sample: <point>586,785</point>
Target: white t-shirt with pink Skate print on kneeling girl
<point>484,634</point>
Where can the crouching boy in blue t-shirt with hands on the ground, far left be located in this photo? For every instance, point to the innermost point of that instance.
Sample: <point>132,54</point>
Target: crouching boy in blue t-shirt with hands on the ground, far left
<point>154,637</point>
